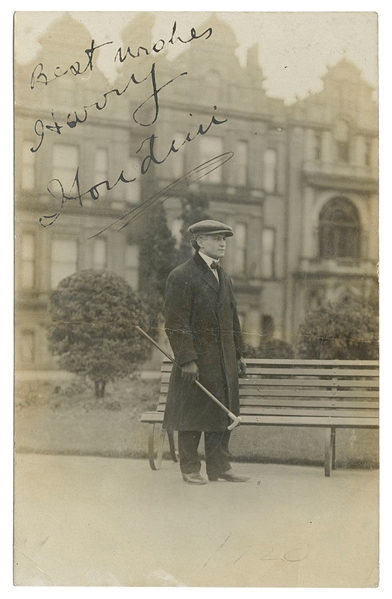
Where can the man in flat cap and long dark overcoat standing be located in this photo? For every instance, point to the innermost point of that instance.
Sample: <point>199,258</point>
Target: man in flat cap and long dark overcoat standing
<point>203,328</point>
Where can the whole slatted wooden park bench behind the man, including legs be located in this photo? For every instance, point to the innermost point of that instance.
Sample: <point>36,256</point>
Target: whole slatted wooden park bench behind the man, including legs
<point>327,394</point>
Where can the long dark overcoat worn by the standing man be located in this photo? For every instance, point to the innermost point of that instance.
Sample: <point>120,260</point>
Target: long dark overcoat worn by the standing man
<point>201,322</point>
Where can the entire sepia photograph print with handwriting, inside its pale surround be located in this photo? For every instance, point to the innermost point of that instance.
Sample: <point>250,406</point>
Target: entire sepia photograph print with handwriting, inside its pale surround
<point>196,308</point>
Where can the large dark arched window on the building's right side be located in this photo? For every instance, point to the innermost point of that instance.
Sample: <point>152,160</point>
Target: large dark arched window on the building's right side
<point>339,230</point>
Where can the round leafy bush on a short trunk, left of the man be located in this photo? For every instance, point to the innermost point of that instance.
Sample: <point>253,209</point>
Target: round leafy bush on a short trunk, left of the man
<point>94,315</point>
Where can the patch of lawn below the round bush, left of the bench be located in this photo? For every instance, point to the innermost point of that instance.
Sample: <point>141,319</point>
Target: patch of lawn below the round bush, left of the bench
<point>65,417</point>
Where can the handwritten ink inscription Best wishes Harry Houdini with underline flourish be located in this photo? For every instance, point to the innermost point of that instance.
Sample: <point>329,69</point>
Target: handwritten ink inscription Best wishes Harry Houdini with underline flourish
<point>150,150</point>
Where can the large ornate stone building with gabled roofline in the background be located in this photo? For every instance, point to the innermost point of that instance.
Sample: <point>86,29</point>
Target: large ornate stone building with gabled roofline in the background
<point>300,189</point>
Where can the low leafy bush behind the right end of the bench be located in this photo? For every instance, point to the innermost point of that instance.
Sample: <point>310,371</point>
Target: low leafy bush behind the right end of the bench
<point>344,330</point>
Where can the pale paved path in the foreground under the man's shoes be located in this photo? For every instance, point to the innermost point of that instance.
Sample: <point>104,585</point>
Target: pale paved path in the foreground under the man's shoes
<point>101,522</point>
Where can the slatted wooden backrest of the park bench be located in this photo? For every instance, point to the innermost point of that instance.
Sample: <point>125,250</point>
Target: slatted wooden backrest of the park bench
<point>324,388</point>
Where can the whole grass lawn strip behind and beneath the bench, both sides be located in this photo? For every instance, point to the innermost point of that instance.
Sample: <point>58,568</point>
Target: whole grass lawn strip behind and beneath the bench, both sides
<point>64,417</point>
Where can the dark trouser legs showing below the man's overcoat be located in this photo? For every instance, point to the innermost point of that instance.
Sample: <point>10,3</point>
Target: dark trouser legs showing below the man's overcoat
<point>216,450</point>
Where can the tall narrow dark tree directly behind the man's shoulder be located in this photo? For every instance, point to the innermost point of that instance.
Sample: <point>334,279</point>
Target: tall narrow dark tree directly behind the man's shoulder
<point>158,257</point>
